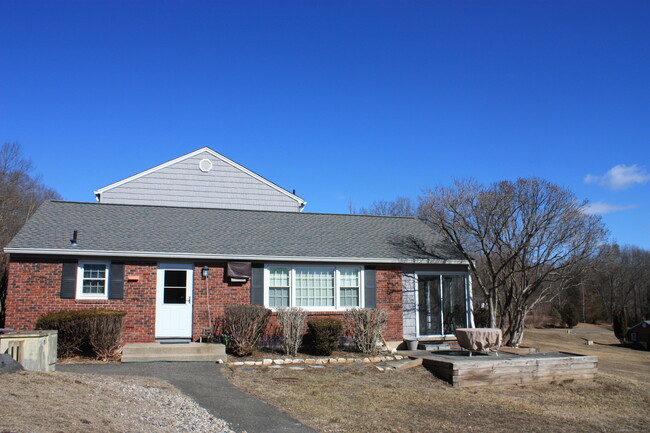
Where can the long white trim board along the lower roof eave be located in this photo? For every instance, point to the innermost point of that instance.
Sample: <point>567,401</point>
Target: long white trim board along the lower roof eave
<point>182,255</point>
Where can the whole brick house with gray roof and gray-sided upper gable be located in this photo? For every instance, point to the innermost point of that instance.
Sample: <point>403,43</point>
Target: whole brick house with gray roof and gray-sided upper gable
<point>175,244</point>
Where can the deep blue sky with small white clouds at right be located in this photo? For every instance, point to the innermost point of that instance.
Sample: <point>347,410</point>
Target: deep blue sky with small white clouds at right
<point>343,101</point>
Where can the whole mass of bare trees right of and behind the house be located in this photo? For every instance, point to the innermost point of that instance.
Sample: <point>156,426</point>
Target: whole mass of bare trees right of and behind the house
<point>531,247</point>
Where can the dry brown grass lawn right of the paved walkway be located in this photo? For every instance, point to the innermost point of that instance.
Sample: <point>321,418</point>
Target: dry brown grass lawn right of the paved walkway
<point>359,398</point>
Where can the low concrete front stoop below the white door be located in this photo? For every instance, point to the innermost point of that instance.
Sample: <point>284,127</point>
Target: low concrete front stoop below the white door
<point>151,352</point>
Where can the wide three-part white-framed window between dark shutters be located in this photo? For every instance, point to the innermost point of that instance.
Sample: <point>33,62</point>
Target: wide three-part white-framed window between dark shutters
<point>313,287</point>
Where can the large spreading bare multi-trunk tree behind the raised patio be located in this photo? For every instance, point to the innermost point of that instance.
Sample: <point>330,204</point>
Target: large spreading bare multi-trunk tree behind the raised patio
<point>524,241</point>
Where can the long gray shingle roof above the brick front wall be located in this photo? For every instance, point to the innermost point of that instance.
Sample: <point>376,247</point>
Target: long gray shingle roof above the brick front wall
<point>128,230</point>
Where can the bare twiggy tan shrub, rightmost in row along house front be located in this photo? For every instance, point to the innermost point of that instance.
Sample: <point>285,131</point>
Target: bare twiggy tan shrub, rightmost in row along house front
<point>366,325</point>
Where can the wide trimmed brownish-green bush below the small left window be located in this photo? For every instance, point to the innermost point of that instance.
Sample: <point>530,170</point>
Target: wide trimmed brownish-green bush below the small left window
<point>95,331</point>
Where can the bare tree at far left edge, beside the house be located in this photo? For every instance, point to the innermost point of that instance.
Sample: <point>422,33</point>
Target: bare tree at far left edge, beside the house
<point>20,194</point>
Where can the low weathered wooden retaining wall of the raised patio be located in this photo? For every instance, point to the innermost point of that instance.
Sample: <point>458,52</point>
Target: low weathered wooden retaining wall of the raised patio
<point>517,371</point>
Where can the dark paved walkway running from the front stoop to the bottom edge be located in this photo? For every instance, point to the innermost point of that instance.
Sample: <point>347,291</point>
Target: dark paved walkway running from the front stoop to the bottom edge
<point>204,382</point>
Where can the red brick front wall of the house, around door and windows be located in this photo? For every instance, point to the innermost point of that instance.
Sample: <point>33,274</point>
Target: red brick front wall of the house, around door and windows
<point>34,290</point>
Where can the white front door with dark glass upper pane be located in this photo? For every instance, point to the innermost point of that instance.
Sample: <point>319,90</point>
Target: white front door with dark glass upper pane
<point>174,300</point>
